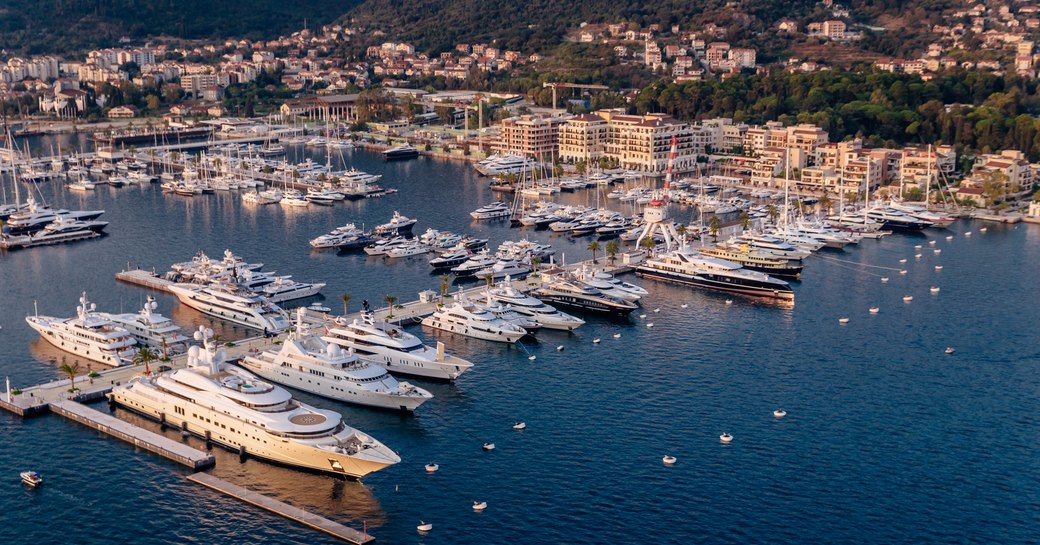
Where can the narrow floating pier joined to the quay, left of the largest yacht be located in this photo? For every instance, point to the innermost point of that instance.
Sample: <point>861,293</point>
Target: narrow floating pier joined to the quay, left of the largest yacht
<point>139,437</point>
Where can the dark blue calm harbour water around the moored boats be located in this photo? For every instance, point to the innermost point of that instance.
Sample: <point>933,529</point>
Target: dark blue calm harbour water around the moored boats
<point>888,439</point>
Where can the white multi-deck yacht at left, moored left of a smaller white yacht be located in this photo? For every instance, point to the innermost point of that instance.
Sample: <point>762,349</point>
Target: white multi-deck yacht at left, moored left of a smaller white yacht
<point>90,335</point>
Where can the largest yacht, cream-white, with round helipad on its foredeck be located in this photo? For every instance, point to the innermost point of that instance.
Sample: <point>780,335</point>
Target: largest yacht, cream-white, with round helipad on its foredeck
<point>236,409</point>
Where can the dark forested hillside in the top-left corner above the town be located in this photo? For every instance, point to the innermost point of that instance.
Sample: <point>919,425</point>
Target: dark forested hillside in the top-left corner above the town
<point>59,27</point>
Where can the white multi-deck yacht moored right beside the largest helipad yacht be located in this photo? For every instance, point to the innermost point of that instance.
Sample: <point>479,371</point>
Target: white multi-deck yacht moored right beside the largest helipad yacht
<point>313,365</point>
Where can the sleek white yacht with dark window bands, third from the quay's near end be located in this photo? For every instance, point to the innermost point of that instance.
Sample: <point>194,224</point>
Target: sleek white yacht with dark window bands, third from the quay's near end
<point>391,347</point>
